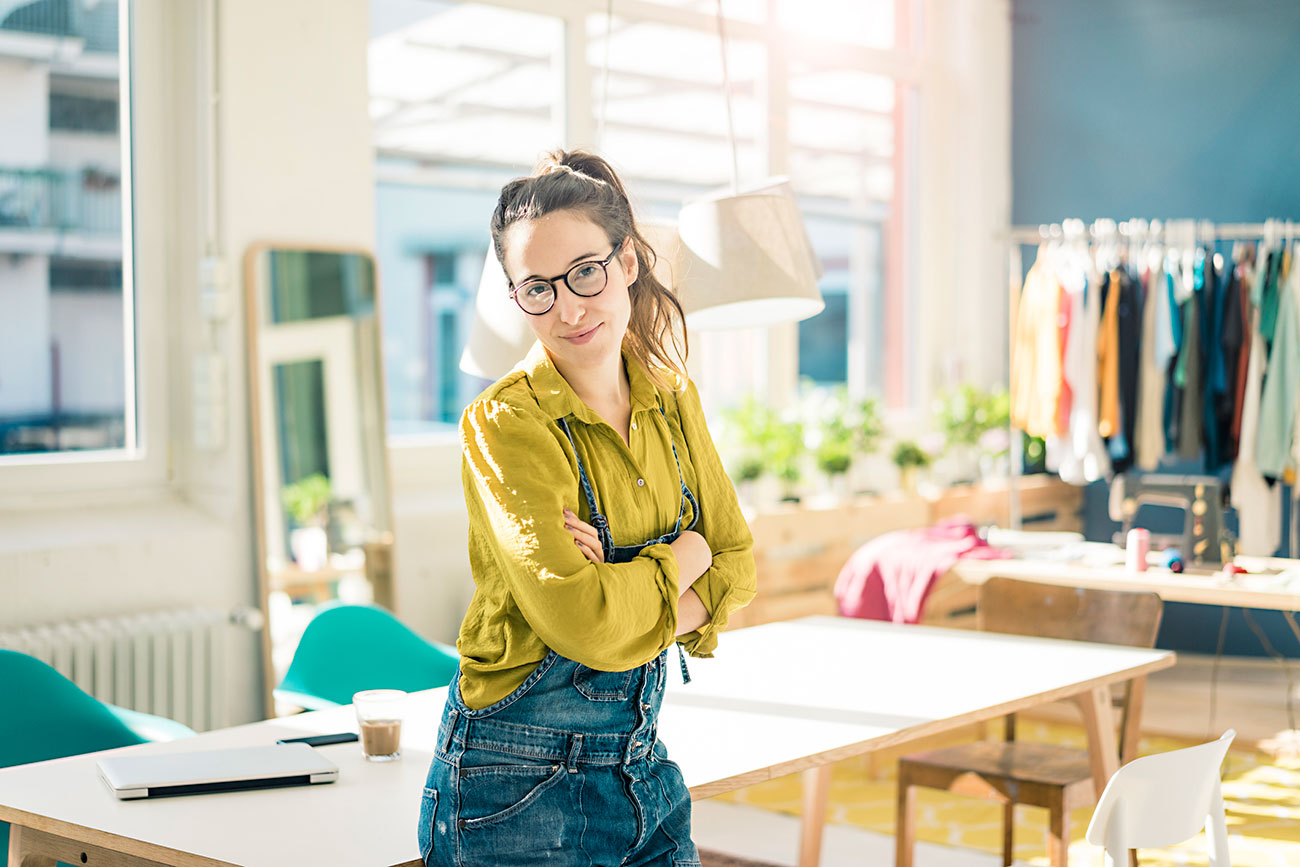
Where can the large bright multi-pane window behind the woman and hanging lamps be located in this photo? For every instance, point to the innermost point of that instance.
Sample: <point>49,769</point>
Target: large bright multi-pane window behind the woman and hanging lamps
<point>467,96</point>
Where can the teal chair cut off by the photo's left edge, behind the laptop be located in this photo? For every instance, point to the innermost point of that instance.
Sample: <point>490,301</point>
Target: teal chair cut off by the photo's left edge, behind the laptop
<point>53,718</point>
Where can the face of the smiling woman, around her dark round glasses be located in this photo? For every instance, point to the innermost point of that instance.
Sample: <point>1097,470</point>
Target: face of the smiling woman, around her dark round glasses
<point>578,332</point>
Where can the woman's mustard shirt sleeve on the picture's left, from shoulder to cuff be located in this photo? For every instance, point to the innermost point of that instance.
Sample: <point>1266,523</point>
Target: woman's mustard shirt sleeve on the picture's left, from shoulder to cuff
<point>518,482</point>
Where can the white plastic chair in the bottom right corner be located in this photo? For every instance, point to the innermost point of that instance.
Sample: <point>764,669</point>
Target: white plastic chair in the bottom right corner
<point>1163,800</point>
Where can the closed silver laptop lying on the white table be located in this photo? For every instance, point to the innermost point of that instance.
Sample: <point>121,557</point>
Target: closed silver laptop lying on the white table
<point>206,771</point>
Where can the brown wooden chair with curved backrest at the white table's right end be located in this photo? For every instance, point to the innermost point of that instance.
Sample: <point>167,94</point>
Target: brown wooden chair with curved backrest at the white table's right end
<point>1043,775</point>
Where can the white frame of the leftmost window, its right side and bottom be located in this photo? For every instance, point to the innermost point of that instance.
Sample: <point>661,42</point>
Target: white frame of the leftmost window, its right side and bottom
<point>141,474</point>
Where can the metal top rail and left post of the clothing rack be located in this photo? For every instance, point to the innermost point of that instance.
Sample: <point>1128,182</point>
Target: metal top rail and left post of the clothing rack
<point>1139,229</point>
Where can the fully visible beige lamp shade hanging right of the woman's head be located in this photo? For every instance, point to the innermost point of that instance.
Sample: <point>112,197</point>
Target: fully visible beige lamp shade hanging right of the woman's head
<point>747,262</point>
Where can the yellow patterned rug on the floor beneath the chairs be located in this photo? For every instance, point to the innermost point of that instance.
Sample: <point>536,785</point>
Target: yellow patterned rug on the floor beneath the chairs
<point>1263,797</point>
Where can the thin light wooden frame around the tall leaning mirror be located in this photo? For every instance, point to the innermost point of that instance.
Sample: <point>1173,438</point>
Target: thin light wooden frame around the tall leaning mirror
<point>253,328</point>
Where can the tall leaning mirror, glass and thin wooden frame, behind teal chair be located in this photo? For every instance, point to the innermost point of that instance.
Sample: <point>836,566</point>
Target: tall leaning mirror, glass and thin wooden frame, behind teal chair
<point>320,462</point>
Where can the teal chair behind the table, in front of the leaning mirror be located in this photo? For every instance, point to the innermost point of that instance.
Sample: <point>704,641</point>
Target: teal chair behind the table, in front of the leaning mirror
<point>346,649</point>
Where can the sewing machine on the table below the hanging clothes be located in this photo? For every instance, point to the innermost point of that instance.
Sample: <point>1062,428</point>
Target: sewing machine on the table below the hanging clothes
<point>1206,541</point>
